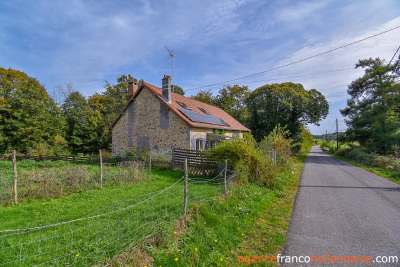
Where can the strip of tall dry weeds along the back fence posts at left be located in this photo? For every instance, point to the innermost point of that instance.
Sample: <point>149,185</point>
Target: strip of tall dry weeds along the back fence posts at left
<point>34,183</point>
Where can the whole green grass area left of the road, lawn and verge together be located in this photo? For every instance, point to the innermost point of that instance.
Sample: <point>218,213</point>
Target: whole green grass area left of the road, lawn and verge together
<point>141,224</point>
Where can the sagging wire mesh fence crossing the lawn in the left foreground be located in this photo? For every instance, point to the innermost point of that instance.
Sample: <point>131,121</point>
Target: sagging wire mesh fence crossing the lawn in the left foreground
<point>103,235</point>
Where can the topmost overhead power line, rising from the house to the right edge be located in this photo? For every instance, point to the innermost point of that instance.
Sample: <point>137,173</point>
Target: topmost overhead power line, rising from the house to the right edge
<point>298,61</point>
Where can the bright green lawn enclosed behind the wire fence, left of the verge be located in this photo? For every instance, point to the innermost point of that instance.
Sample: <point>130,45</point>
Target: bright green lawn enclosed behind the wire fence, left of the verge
<point>114,218</point>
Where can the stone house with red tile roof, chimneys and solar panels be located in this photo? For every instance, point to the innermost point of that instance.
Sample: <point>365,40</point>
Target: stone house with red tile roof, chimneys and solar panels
<point>159,119</point>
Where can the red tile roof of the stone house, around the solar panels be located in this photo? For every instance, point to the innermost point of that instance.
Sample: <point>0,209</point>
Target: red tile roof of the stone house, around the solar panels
<point>194,105</point>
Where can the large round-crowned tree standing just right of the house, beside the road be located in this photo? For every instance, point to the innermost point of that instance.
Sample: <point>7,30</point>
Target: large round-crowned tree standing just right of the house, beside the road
<point>288,105</point>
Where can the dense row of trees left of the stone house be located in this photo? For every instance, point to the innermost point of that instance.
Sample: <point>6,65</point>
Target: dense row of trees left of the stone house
<point>31,121</point>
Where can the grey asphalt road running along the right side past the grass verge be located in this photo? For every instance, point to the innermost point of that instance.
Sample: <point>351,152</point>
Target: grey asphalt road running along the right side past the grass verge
<point>342,210</point>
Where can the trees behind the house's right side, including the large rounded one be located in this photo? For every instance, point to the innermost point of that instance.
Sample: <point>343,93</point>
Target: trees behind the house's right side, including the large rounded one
<point>288,105</point>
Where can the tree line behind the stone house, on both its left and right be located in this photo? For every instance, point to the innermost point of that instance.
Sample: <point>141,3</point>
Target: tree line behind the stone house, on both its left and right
<point>31,121</point>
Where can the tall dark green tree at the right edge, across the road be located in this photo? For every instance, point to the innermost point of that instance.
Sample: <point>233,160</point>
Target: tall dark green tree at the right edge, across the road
<point>373,97</point>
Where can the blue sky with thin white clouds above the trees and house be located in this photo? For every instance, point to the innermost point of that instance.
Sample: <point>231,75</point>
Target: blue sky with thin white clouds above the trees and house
<point>89,42</point>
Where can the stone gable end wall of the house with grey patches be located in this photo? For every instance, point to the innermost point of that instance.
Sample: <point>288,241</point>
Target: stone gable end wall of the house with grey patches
<point>148,122</point>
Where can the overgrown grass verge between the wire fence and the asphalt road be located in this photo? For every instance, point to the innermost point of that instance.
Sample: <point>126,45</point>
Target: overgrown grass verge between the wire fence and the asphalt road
<point>251,221</point>
